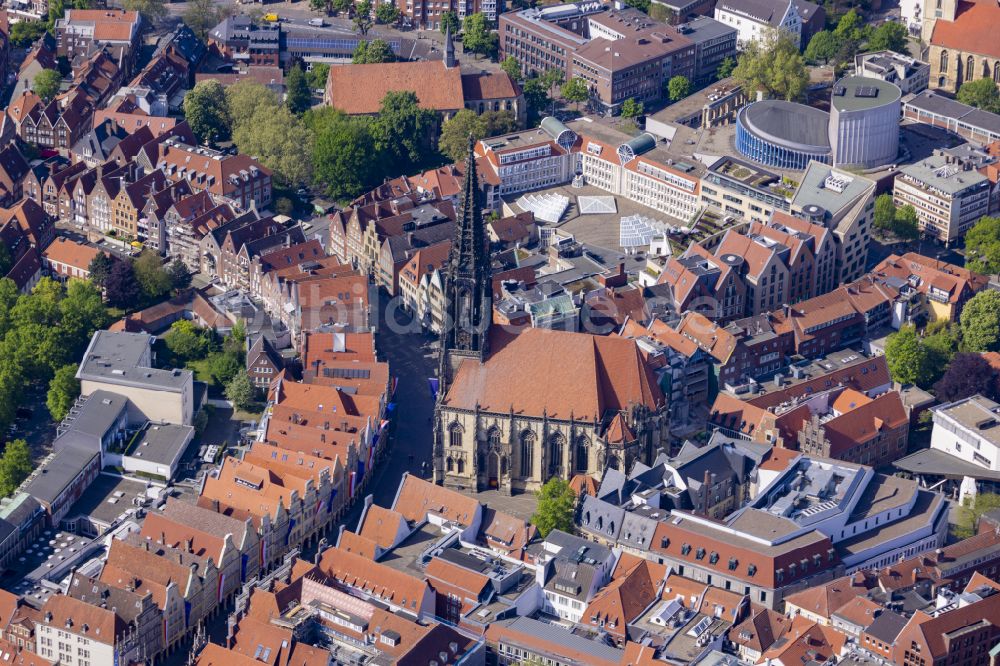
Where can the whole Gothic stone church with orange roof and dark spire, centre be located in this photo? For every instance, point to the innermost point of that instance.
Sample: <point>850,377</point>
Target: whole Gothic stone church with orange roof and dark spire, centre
<point>516,410</point>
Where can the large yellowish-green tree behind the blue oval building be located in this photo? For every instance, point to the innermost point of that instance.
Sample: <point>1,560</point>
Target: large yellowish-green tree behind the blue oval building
<point>773,65</point>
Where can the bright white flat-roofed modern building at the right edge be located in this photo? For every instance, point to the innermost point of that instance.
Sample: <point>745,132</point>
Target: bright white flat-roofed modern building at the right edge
<point>969,430</point>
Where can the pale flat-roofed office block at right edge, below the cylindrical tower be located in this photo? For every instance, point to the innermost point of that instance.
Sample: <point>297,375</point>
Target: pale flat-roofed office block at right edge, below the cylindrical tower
<point>948,194</point>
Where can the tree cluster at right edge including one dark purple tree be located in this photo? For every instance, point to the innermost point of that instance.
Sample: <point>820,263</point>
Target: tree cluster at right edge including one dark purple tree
<point>945,357</point>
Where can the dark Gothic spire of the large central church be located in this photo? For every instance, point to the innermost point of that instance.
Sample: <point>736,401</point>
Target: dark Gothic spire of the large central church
<point>468,284</point>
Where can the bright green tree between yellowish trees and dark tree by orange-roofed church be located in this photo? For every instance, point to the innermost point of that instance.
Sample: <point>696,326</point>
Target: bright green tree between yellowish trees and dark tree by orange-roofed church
<point>342,155</point>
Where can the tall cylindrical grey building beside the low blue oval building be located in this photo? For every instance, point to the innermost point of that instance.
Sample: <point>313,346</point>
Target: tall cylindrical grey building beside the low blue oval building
<point>864,122</point>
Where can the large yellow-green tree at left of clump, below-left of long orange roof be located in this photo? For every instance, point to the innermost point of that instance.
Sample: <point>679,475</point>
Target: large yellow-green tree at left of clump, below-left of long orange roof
<point>281,141</point>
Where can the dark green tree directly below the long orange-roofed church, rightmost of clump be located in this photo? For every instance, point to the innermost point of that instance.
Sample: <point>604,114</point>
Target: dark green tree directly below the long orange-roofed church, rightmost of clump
<point>402,130</point>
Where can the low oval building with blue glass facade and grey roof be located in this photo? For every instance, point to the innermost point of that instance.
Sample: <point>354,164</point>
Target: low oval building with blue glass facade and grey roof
<point>783,134</point>
